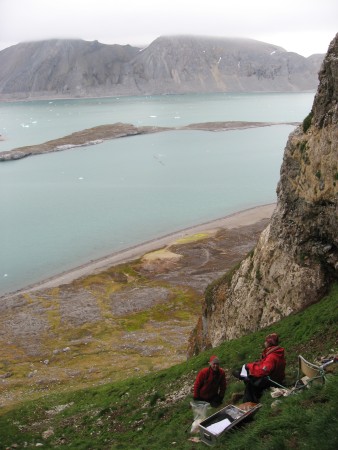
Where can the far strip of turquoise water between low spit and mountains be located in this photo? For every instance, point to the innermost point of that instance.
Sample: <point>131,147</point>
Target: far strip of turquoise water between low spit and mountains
<point>26,123</point>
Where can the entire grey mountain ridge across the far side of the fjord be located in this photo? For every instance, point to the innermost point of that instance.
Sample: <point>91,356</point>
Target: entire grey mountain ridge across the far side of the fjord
<point>60,68</point>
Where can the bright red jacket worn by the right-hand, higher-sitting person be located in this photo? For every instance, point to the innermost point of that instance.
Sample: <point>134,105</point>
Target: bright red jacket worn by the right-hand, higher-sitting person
<point>272,364</point>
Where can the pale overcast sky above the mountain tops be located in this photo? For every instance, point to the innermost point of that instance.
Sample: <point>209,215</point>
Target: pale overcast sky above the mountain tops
<point>301,26</point>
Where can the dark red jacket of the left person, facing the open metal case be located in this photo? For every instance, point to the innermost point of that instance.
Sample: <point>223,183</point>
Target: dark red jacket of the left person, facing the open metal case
<point>210,383</point>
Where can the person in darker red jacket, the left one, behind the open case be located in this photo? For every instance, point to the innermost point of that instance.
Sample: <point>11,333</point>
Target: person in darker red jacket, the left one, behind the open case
<point>210,383</point>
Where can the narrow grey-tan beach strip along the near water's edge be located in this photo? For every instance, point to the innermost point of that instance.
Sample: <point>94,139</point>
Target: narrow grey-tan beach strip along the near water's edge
<point>235,220</point>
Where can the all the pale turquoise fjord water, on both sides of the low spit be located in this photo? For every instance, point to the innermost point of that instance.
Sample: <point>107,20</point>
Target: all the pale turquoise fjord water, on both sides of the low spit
<point>60,210</point>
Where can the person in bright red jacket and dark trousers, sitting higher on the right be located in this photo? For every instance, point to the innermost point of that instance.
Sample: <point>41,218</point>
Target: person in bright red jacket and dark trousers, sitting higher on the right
<point>257,375</point>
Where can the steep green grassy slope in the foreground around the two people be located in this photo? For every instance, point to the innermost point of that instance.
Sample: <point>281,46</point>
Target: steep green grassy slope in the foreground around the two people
<point>153,412</point>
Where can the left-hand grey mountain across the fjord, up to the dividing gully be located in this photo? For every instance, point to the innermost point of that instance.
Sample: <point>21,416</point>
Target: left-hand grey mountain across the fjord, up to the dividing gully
<point>61,68</point>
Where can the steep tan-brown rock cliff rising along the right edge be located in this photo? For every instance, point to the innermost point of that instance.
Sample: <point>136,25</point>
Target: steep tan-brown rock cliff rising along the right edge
<point>296,258</point>
